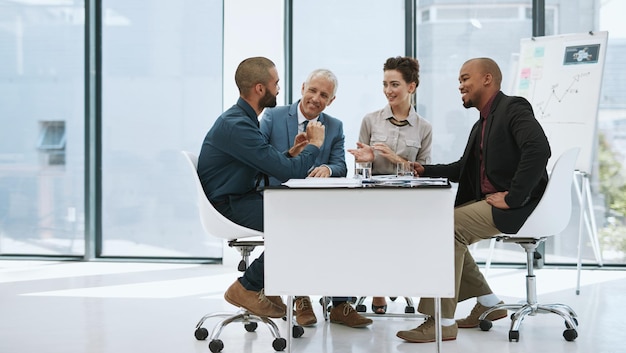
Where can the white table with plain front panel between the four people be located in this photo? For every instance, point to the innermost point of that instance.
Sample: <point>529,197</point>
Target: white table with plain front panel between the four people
<point>309,231</point>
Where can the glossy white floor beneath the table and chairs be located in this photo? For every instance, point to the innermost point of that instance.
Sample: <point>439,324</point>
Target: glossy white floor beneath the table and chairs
<point>98,307</point>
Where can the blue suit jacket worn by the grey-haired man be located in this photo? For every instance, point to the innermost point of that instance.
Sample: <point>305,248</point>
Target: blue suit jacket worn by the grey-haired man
<point>280,126</point>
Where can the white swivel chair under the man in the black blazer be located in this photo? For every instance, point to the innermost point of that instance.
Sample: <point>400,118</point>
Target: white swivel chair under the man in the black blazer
<point>549,218</point>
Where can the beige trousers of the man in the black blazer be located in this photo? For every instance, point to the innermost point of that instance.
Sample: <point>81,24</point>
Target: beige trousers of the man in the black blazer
<point>472,222</point>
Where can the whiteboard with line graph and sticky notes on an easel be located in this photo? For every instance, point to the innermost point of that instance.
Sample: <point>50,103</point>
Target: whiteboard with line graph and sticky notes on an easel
<point>561,77</point>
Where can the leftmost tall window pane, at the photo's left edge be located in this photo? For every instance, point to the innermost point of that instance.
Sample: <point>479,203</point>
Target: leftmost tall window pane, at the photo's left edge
<point>41,134</point>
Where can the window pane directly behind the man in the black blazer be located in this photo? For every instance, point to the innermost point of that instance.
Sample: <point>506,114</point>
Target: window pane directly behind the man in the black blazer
<point>448,34</point>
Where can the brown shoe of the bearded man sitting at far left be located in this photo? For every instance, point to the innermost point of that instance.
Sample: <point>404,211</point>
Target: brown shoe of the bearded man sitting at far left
<point>255,302</point>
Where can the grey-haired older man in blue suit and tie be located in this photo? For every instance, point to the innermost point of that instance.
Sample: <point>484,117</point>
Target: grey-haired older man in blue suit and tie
<point>280,125</point>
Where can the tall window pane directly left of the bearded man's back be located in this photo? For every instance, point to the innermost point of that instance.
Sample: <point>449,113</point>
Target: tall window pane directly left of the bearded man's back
<point>161,90</point>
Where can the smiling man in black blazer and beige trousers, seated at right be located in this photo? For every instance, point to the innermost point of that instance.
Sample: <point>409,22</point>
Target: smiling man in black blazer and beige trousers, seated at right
<point>502,176</point>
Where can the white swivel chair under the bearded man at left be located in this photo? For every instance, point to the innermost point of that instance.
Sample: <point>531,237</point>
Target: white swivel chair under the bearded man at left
<point>244,240</point>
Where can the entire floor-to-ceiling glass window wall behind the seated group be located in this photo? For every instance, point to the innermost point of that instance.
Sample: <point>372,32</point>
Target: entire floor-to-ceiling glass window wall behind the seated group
<point>167,73</point>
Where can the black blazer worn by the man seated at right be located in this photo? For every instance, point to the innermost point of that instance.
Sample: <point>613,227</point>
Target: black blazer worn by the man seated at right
<point>516,152</point>
